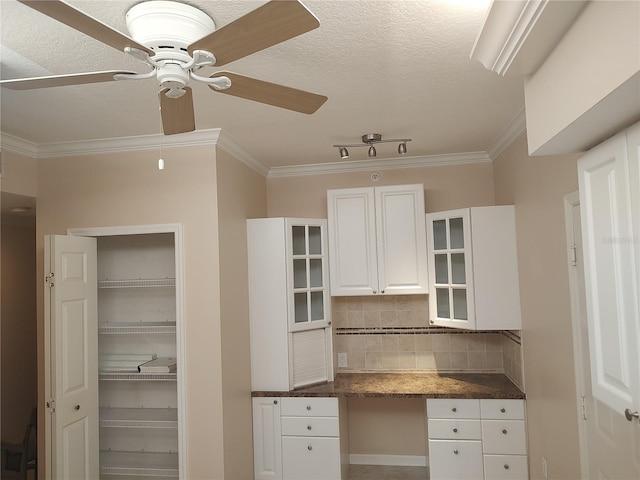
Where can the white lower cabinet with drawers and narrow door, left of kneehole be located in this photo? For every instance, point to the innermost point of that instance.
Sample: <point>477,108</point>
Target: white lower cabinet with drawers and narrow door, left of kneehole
<point>299,438</point>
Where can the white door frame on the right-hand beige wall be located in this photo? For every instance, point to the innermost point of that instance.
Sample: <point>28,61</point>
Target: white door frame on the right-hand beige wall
<point>572,200</point>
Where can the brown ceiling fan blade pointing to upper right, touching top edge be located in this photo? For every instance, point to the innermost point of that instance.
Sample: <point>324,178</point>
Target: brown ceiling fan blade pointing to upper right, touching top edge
<point>268,25</point>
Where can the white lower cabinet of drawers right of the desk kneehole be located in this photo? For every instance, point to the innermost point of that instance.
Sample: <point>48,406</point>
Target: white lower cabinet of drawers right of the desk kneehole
<point>476,439</point>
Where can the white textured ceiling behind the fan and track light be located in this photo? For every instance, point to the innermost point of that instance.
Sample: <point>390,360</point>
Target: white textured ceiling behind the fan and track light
<point>396,67</point>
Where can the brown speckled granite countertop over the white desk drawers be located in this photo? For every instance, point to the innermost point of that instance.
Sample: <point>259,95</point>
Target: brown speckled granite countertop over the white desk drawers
<point>399,385</point>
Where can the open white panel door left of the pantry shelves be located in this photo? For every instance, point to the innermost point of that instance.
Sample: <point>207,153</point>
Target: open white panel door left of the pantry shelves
<point>72,361</point>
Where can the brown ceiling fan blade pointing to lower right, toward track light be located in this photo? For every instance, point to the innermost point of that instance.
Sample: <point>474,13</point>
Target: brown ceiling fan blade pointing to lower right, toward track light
<point>271,93</point>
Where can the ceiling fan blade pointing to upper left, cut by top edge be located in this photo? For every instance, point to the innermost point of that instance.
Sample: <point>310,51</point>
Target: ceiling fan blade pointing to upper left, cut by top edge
<point>84,23</point>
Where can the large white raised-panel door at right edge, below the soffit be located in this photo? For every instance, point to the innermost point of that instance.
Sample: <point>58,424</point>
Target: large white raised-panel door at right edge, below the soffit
<point>610,277</point>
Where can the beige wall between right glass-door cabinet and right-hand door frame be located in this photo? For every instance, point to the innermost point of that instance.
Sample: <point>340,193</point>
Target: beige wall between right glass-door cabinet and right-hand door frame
<point>537,185</point>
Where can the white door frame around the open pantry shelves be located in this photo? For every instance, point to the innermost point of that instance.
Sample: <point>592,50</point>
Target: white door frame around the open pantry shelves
<point>177,231</point>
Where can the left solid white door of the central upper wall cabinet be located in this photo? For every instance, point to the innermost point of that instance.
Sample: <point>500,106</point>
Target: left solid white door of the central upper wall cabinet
<point>352,241</point>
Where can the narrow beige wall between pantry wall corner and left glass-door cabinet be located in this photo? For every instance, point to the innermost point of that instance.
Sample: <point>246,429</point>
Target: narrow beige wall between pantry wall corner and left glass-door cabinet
<point>241,195</point>
